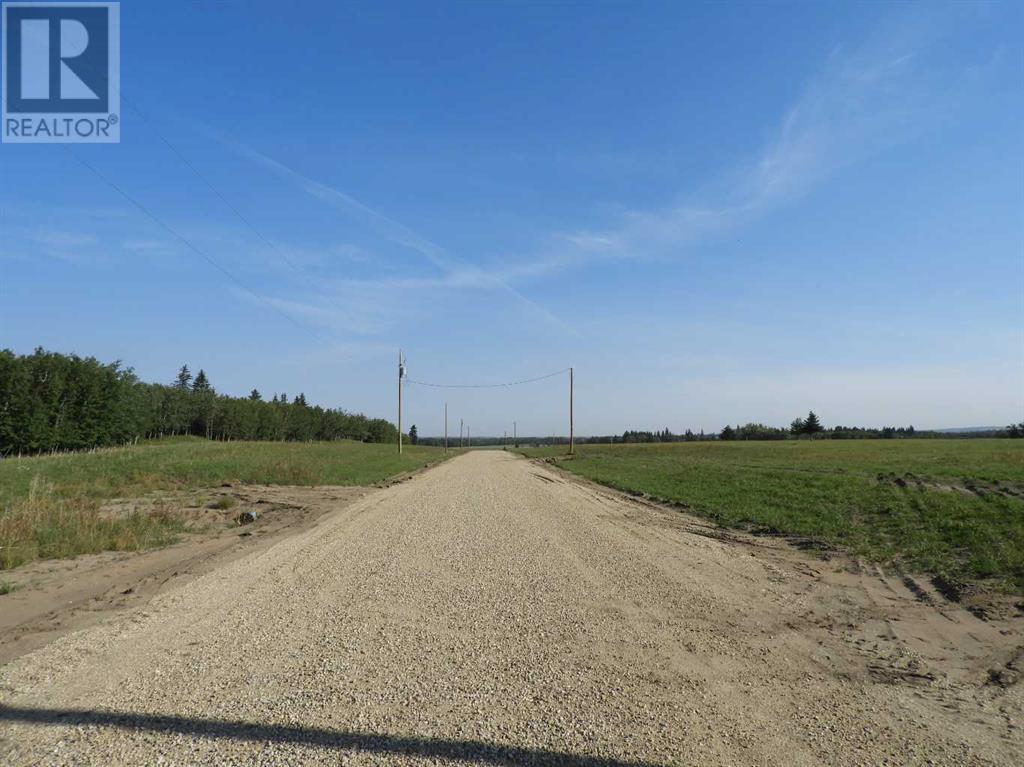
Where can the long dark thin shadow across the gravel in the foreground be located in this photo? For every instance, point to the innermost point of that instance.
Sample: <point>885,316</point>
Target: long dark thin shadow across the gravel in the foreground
<point>436,748</point>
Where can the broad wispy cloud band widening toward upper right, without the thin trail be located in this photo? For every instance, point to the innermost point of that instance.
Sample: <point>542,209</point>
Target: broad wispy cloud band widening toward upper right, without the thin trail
<point>863,103</point>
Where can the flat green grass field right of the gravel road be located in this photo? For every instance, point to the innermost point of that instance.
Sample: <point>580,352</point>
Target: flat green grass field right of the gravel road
<point>950,507</point>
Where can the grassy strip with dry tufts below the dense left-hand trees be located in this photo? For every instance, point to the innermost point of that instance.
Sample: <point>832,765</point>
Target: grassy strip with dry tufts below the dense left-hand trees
<point>51,506</point>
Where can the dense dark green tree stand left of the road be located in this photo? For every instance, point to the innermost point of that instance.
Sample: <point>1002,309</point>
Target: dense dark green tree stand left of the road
<point>52,402</point>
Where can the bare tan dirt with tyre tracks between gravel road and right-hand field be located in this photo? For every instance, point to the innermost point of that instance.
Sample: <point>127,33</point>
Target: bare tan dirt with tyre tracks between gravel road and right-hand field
<point>942,637</point>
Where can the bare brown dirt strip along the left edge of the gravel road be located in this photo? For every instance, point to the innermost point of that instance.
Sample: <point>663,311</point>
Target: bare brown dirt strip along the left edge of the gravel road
<point>54,598</point>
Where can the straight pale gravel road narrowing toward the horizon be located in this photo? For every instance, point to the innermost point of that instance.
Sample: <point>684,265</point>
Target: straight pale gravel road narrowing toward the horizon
<point>494,612</point>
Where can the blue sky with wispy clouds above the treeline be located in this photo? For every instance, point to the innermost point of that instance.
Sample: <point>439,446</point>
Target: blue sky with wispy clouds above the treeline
<point>715,214</point>
